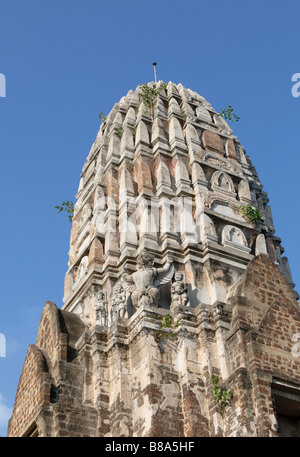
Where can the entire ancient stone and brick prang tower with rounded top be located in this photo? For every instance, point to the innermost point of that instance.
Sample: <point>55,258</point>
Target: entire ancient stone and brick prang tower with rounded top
<point>176,287</point>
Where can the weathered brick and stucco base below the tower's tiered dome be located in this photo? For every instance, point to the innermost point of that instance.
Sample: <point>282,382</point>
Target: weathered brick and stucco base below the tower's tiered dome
<point>127,381</point>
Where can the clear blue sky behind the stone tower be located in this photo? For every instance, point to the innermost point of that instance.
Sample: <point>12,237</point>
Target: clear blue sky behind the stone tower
<point>67,61</point>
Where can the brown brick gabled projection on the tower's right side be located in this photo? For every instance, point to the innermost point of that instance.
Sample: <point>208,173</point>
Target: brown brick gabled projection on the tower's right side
<point>265,318</point>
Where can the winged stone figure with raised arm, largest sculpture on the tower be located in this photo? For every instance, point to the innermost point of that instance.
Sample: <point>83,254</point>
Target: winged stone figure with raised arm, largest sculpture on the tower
<point>144,283</point>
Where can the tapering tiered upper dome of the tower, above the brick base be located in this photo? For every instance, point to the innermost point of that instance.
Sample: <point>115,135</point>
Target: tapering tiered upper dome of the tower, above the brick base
<point>171,179</point>
